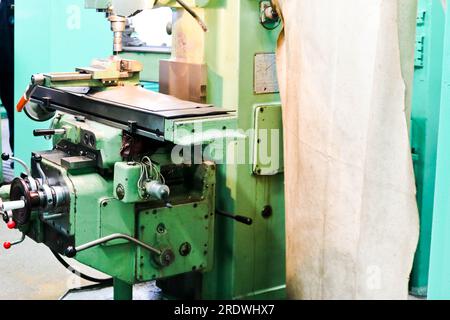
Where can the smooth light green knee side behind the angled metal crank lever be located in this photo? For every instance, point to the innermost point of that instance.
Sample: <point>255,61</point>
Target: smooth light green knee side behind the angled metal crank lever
<point>93,209</point>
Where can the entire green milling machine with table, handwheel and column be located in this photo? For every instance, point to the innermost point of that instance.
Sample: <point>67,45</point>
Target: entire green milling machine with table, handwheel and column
<point>172,186</point>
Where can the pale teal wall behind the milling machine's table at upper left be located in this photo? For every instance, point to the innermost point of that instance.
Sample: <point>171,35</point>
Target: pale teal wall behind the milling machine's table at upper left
<point>52,36</point>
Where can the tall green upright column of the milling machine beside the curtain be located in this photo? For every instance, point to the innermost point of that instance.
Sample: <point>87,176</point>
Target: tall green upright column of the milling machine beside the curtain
<point>249,262</point>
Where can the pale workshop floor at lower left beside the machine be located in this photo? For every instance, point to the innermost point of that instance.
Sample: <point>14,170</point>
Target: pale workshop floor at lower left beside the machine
<point>30,271</point>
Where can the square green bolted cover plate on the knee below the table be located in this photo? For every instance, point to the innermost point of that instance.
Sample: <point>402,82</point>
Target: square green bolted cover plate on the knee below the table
<point>183,225</point>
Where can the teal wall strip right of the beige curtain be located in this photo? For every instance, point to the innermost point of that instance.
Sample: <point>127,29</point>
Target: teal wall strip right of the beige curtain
<point>431,141</point>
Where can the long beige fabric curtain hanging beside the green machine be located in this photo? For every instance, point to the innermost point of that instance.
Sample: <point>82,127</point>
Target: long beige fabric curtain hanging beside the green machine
<point>345,77</point>
